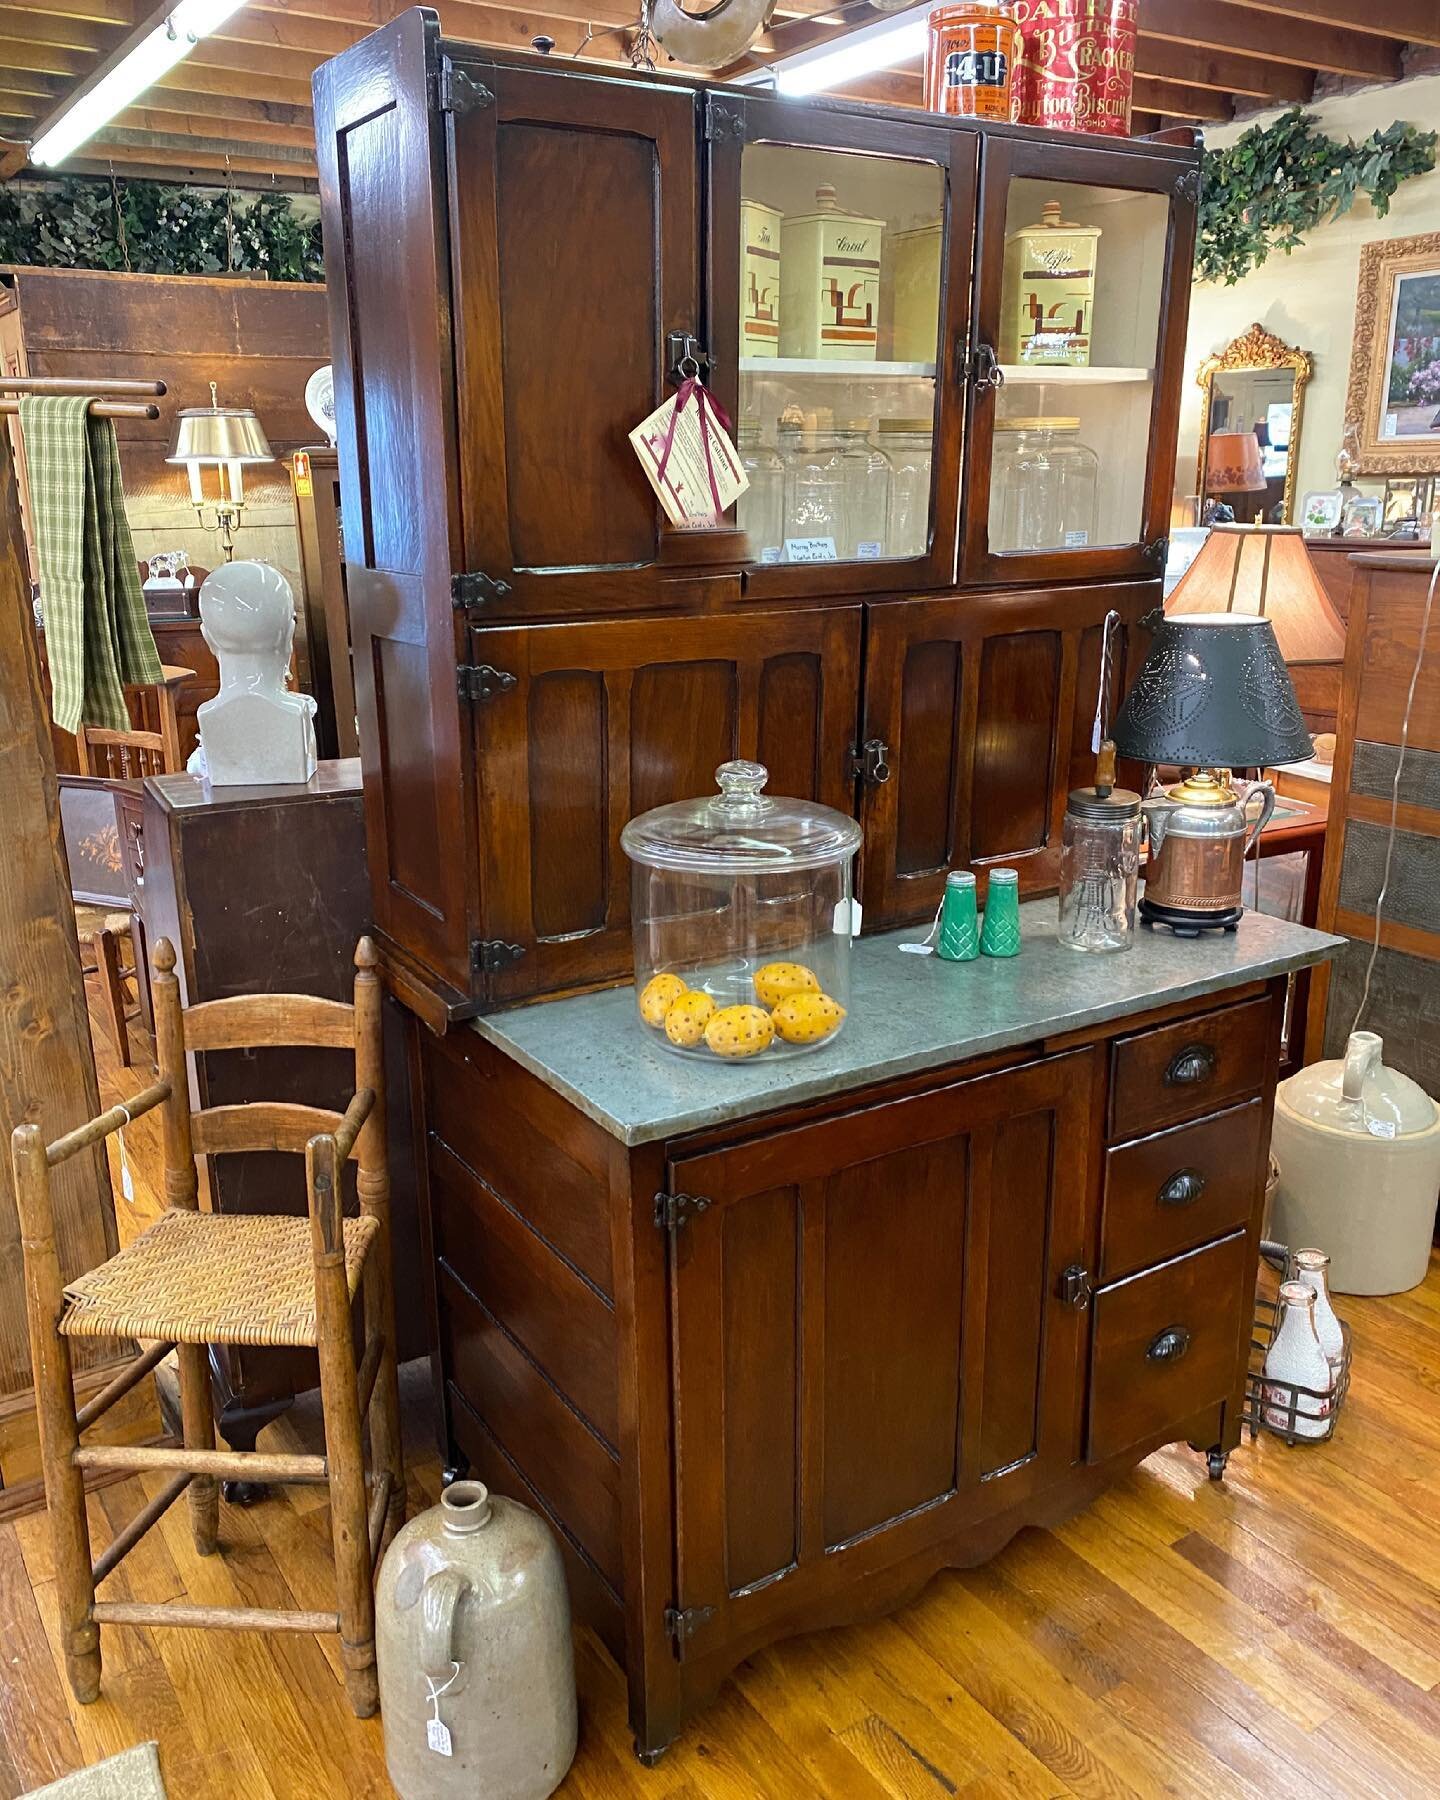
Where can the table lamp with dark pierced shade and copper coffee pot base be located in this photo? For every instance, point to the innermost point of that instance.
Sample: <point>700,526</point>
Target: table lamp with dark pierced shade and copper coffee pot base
<point>1212,696</point>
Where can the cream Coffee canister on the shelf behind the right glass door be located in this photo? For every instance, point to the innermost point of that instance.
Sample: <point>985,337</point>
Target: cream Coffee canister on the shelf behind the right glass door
<point>1048,291</point>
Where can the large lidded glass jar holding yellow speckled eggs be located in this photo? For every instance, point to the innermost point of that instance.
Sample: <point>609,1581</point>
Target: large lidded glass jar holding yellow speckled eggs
<point>742,921</point>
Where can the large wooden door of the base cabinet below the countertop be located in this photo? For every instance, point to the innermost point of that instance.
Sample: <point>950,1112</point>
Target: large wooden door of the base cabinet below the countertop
<point>870,1342</point>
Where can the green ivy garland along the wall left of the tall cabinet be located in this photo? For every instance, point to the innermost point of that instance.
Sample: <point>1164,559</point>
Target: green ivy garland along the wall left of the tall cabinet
<point>156,229</point>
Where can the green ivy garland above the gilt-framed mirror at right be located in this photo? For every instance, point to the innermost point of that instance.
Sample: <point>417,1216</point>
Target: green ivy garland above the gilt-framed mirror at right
<point>1279,183</point>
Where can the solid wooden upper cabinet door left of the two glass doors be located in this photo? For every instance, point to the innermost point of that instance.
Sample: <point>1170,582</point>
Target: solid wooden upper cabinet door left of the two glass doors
<point>577,240</point>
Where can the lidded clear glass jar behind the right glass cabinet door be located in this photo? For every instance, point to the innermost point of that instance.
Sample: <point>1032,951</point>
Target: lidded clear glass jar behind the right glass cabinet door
<point>1043,490</point>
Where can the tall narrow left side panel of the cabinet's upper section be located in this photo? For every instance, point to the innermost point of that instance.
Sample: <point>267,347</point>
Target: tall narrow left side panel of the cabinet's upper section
<point>382,172</point>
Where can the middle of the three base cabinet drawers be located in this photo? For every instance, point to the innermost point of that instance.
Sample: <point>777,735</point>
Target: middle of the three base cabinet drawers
<point>1178,1189</point>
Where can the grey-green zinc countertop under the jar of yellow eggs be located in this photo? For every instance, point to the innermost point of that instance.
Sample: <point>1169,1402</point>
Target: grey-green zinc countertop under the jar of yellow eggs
<point>906,1014</point>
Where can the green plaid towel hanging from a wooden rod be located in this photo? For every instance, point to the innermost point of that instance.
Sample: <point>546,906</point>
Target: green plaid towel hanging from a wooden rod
<point>96,629</point>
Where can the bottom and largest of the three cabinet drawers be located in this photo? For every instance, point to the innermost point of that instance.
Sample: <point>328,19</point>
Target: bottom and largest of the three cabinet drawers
<point>1167,1344</point>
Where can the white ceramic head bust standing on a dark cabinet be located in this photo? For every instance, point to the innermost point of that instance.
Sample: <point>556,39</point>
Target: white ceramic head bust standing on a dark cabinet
<point>256,732</point>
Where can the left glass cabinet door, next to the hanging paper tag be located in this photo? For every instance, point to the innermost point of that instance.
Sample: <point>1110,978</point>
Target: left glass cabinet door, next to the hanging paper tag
<point>840,285</point>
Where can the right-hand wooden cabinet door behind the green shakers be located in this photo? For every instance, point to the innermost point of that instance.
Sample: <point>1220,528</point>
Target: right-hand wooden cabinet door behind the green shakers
<point>985,710</point>
